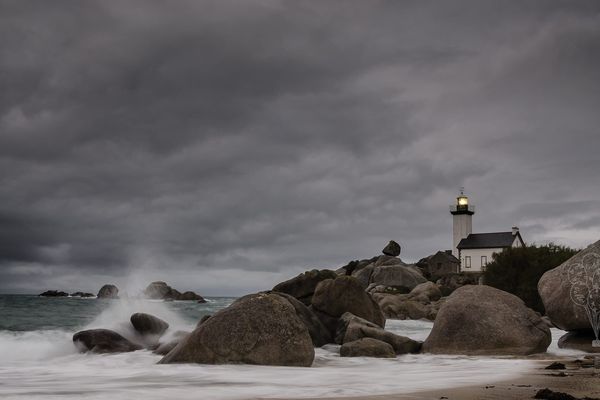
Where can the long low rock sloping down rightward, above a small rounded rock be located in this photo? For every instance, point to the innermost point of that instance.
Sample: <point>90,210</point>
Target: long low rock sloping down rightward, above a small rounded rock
<point>351,328</point>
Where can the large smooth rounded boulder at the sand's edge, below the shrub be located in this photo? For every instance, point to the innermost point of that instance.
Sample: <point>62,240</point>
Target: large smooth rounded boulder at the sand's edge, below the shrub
<point>482,320</point>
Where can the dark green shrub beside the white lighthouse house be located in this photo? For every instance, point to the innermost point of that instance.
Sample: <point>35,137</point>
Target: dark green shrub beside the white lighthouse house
<point>518,270</point>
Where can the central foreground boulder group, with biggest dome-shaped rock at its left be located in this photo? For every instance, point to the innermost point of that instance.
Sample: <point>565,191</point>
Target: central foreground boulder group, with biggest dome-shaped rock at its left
<point>276,328</point>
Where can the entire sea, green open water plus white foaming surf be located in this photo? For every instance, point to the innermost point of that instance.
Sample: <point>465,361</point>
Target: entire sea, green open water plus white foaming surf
<point>39,361</point>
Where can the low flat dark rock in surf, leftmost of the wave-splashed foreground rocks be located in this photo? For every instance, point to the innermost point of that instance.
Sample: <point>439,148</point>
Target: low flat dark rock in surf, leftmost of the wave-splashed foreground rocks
<point>103,341</point>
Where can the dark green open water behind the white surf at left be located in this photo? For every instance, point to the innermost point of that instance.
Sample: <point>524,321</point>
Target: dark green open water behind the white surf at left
<point>32,313</point>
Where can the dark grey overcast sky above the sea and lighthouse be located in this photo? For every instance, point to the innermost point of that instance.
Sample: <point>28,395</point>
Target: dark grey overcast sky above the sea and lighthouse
<point>226,146</point>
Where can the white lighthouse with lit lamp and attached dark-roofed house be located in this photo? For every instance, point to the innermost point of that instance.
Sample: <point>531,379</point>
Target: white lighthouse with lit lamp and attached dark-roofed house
<point>475,250</point>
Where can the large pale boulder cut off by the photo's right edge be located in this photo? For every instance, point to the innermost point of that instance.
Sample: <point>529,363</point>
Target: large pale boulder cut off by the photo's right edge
<point>564,289</point>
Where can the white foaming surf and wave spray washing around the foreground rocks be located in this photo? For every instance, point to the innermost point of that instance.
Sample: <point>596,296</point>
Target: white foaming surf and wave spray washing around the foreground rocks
<point>44,364</point>
